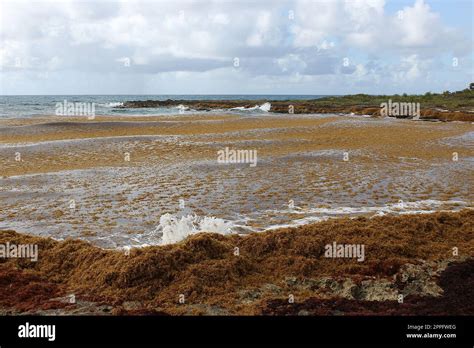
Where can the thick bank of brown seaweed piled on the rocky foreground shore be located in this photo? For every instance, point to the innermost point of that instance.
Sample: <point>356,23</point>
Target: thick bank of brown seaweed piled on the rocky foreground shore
<point>411,255</point>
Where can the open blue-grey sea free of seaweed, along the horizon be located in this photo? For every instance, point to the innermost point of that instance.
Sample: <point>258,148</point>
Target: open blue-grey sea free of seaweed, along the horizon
<point>19,106</point>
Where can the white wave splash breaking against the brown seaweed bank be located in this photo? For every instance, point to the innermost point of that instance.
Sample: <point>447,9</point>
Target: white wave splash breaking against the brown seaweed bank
<point>174,229</point>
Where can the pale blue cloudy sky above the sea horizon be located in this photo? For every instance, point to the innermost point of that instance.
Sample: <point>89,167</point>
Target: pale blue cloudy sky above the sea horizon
<point>236,47</point>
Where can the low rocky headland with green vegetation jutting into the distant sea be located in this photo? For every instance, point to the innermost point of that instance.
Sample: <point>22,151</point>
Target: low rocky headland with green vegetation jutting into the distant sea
<point>456,106</point>
